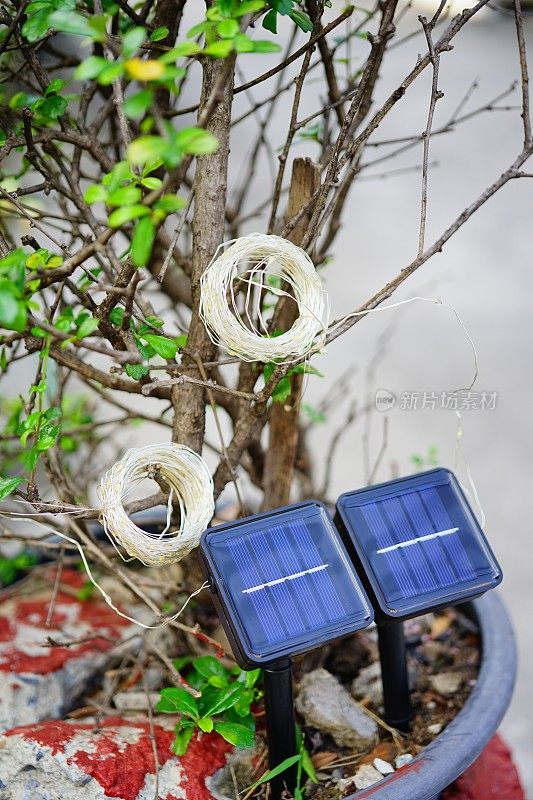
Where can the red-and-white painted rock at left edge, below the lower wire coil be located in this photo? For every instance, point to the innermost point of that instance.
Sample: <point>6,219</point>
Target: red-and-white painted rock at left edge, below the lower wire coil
<point>39,682</point>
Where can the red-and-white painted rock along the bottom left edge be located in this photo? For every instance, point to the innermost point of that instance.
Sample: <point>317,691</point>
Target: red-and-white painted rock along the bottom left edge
<point>61,760</point>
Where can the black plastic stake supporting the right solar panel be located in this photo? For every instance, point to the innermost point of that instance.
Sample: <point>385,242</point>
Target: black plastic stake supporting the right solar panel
<point>392,654</point>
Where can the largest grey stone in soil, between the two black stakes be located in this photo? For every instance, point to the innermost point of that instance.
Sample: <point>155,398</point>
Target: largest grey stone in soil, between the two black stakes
<point>327,706</point>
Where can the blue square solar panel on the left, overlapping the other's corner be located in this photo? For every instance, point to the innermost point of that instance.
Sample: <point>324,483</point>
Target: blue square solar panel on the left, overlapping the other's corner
<point>283,583</point>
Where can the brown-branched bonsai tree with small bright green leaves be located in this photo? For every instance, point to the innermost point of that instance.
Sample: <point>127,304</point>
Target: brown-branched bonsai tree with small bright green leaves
<point>117,122</point>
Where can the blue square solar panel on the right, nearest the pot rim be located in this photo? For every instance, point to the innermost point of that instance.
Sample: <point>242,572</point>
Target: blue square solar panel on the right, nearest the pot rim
<point>417,543</point>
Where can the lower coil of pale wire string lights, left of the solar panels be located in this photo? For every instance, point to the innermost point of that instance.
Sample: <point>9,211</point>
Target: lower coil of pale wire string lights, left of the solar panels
<point>190,484</point>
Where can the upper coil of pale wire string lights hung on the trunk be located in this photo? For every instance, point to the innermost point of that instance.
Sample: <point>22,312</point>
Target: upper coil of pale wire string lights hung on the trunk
<point>245,334</point>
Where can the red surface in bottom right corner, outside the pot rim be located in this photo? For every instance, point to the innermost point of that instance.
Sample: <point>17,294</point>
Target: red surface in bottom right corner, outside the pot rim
<point>492,777</point>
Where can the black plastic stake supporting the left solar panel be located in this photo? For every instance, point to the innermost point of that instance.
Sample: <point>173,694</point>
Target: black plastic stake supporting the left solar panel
<point>281,729</point>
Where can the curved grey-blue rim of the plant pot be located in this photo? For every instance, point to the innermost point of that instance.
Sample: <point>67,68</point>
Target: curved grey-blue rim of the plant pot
<point>463,740</point>
